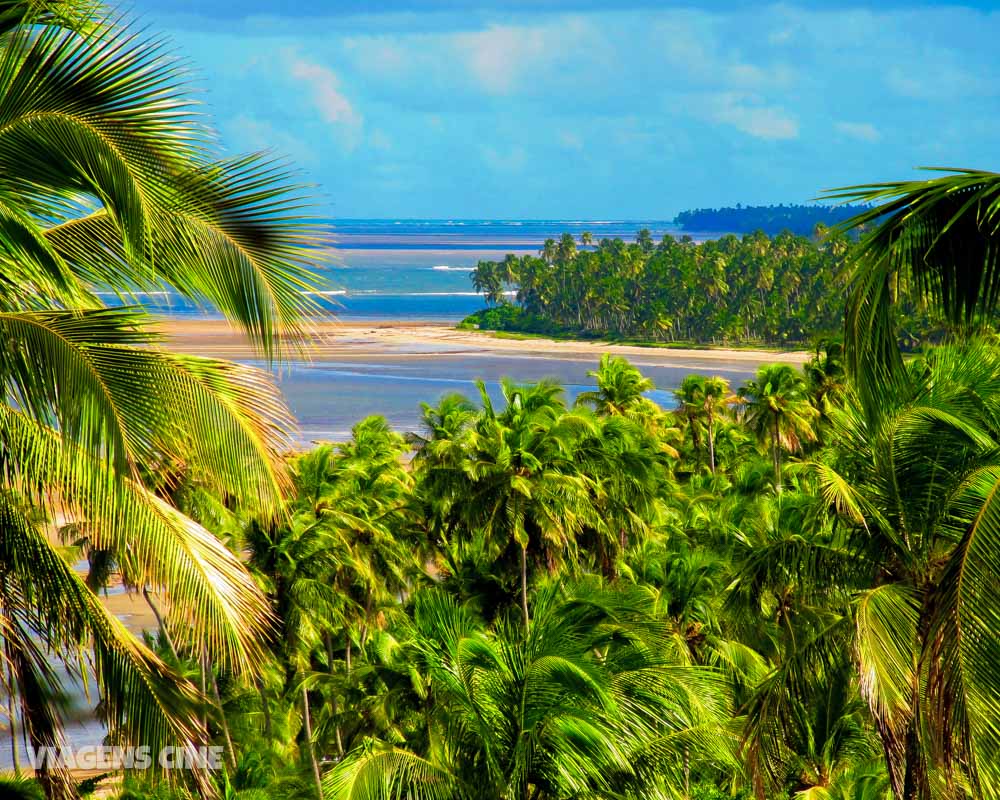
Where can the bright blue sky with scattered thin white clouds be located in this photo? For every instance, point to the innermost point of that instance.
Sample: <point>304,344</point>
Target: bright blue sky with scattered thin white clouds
<point>578,109</point>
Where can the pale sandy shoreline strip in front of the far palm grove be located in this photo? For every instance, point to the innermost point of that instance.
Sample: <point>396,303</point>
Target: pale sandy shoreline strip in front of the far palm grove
<point>415,339</point>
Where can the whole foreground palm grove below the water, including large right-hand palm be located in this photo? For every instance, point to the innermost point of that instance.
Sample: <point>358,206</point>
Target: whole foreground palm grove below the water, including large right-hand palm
<point>612,599</point>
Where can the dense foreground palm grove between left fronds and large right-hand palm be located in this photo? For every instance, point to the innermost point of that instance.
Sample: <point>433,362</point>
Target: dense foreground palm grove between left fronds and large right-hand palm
<point>558,545</point>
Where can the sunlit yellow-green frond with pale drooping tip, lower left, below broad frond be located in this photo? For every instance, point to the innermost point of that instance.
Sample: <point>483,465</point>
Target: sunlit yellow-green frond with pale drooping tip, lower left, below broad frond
<point>212,600</point>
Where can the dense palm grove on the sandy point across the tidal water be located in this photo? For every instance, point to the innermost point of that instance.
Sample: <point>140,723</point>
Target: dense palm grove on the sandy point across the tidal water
<point>750,289</point>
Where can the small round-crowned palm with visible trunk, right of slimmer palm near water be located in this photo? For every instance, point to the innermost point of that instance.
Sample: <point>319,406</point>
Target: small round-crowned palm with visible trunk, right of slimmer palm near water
<point>775,407</point>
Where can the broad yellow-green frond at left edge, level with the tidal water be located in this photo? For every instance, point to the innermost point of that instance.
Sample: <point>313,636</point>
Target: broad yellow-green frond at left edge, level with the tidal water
<point>82,374</point>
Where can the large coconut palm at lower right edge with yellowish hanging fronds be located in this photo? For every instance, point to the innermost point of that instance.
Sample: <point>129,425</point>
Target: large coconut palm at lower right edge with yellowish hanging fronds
<point>910,570</point>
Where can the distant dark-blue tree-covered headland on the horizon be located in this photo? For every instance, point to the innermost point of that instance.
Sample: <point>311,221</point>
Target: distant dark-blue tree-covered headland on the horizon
<point>772,220</point>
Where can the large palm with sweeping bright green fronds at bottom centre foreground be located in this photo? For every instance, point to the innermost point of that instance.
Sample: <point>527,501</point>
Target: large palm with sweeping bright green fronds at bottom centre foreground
<point>586,703</point>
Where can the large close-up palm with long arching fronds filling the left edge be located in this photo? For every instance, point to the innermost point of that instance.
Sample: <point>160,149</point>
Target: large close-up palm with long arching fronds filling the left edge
<point>108,182</point>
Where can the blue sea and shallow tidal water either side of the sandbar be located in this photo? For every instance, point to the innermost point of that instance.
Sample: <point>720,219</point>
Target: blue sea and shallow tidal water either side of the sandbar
<point>418,271</point>
